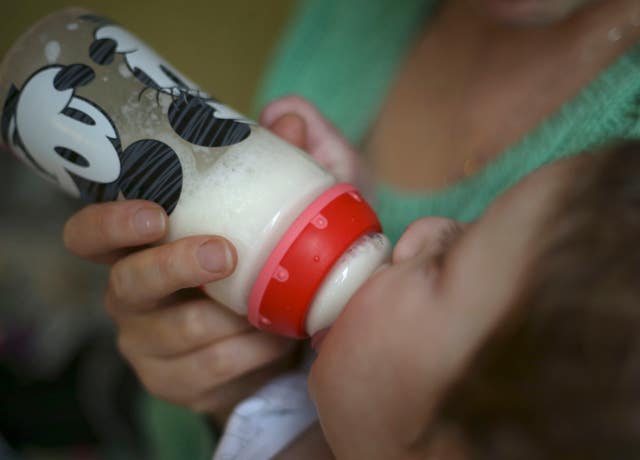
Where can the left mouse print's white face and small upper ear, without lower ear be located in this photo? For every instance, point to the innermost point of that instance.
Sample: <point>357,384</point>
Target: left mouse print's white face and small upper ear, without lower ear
<point>57,132</point>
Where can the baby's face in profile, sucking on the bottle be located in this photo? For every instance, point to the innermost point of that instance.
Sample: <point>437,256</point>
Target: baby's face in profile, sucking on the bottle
<point>372,382</point>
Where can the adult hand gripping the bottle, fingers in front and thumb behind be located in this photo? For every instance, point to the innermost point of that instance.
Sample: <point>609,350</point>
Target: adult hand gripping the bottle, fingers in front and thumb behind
<point>185,347</point>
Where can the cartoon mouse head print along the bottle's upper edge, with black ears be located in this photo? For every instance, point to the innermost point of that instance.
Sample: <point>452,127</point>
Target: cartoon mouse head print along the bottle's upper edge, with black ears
<point>194,115</point>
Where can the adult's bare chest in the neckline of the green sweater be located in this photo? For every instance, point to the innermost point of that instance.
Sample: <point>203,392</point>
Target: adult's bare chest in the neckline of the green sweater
<point>468,91</point>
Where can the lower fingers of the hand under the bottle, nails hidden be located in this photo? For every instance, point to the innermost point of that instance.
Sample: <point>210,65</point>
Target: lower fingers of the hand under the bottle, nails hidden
<point>199,354</point>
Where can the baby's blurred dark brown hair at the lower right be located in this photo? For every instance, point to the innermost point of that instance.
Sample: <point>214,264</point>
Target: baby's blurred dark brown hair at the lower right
<point>560,379</point>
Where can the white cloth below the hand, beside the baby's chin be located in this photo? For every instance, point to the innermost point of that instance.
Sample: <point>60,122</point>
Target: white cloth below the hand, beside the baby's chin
<point>264,424</point>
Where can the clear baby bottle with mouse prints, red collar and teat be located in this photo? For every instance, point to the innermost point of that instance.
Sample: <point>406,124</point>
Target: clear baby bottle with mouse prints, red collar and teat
<point>91,108</point>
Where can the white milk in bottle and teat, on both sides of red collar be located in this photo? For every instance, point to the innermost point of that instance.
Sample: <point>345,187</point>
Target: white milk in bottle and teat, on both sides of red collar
<point>251,195</point>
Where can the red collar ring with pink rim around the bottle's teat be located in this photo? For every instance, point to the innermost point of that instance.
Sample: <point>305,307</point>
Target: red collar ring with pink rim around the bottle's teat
<point>288,281</point>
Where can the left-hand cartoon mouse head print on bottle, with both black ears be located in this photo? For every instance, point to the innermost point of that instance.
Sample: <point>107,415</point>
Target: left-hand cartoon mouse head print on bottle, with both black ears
<point>72,142</point>
